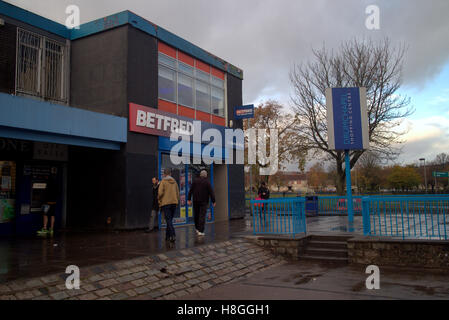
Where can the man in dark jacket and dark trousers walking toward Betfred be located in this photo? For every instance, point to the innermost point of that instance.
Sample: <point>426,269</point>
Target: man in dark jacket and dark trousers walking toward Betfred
<point>201,191</point>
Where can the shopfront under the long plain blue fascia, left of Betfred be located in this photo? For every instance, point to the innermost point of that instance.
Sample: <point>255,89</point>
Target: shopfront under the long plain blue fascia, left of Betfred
<point>35,139</point>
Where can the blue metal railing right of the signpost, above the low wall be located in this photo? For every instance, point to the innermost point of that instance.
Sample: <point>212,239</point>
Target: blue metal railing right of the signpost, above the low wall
<point>424,217</point>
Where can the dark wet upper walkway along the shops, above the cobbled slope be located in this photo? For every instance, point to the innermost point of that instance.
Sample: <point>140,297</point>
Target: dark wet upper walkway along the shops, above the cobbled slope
<point>33,257</point>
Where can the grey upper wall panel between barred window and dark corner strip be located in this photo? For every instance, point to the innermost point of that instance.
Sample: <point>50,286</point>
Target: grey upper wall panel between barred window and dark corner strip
<point>99,72</point>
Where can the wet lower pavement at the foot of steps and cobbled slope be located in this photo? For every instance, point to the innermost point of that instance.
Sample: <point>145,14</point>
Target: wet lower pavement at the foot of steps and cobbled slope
<point>311,280</point>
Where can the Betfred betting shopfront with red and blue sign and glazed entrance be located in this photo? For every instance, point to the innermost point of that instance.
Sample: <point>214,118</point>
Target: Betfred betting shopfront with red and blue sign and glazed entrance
<point>190,159</point>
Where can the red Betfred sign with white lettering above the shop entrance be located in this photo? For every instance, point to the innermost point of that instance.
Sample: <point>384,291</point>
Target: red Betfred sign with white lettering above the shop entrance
<point>156,122</point>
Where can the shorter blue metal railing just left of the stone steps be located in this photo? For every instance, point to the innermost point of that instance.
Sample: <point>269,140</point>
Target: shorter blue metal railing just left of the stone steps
<point>284,216</point>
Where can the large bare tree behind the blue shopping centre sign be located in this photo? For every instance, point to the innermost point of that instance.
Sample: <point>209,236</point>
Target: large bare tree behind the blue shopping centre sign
<point>376,66</point>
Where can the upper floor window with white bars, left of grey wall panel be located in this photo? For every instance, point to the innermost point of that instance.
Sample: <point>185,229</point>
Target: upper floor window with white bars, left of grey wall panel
<point>41,67</point>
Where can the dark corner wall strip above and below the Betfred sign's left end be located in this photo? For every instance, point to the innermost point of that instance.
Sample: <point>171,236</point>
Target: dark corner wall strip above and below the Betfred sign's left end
<point>142,156</point>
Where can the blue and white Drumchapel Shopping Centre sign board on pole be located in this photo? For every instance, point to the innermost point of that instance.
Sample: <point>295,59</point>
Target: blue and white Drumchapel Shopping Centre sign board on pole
<point>347,119</point>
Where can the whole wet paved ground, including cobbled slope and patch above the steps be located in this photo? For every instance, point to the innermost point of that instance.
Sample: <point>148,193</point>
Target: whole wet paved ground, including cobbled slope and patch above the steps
<point>129,265</point>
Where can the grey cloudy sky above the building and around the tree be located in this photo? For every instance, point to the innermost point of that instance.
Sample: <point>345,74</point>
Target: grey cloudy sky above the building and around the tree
<point>266,37</point>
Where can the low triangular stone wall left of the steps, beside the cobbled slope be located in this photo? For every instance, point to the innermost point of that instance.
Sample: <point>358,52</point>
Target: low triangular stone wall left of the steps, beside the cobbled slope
<point>290,248</point>
